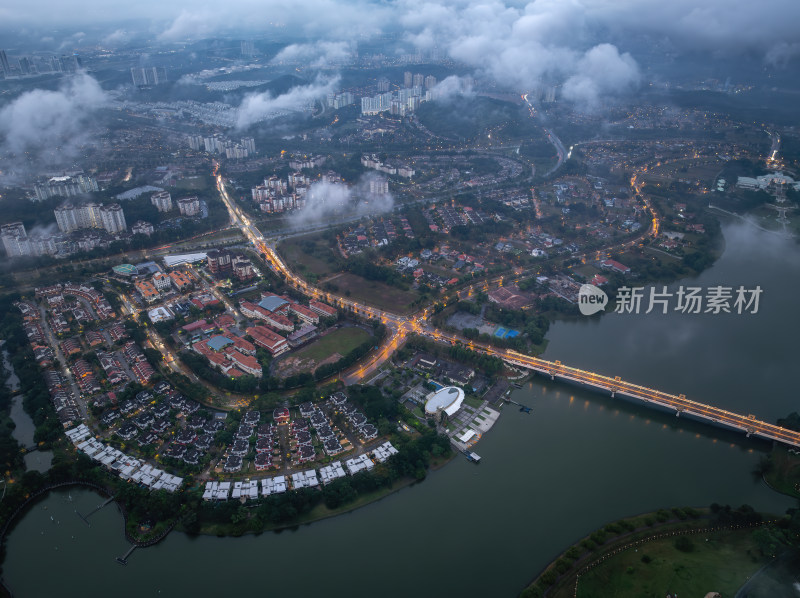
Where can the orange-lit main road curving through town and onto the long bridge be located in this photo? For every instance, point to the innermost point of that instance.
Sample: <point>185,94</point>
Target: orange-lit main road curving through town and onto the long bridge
<point>399,327</point>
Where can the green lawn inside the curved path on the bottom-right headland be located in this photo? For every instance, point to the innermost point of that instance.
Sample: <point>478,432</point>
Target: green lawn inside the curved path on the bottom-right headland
<point>722,564</point>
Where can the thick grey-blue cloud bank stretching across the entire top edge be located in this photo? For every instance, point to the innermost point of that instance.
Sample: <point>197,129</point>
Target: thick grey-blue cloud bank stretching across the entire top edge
<point>578,43</point>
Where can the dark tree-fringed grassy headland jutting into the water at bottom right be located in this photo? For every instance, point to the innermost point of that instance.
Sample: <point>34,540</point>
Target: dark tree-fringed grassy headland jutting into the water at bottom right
<point>681,551</point>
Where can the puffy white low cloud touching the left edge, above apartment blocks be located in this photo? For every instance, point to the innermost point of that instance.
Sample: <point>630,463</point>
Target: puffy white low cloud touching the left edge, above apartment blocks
<point>47,127</point>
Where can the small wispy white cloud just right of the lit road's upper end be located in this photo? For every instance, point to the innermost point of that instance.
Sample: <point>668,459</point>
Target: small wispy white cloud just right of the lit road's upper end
<point>330,201</point>
